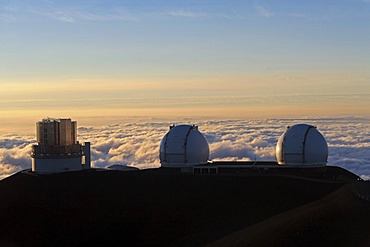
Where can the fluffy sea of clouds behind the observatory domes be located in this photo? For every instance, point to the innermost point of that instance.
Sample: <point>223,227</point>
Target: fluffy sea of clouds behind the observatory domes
<point>137,143</point>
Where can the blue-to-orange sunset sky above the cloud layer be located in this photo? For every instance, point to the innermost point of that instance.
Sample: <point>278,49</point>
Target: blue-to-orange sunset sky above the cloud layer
<point>230,59</point>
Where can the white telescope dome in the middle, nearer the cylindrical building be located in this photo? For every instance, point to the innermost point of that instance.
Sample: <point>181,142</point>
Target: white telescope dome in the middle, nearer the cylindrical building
<point>183,145</point>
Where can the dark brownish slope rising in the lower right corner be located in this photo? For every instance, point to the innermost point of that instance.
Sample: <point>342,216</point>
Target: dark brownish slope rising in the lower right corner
<point>338,219</point>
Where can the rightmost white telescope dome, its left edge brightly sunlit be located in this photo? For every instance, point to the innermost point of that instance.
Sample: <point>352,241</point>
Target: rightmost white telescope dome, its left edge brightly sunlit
<point>302,144</point>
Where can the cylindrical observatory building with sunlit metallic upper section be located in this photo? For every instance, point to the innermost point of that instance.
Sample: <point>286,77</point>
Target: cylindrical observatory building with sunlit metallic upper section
<point>57,148</point>
